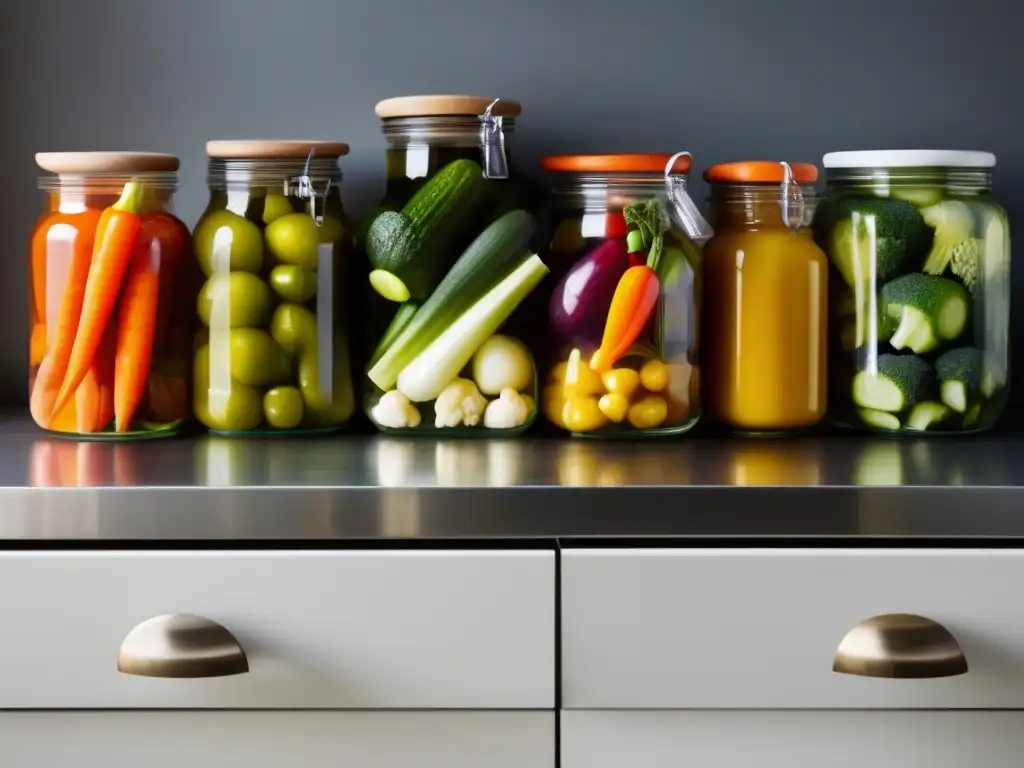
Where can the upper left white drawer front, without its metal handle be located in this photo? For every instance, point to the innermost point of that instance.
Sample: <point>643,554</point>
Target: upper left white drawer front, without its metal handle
<point>332,630</point>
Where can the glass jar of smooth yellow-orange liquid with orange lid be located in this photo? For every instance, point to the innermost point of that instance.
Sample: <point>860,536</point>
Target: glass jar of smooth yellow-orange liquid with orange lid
<point>765,308</point>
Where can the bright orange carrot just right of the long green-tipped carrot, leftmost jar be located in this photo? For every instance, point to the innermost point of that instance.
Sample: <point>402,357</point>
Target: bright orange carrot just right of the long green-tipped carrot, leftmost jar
<point>137,327</point>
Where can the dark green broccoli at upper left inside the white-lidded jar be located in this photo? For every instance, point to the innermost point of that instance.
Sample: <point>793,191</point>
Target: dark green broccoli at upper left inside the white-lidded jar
<point>900,236</point>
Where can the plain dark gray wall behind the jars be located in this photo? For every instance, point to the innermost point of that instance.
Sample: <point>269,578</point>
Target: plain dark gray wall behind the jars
<point>726,79</point>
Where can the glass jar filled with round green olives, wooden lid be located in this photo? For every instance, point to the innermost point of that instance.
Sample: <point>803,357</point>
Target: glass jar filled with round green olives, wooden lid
<point>272,354</point>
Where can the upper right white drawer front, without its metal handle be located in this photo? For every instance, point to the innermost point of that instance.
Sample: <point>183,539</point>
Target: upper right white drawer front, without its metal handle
<point>709,629</point>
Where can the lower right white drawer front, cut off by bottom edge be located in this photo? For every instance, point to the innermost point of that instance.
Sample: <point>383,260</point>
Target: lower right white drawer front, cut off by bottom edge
<point>792,740</point>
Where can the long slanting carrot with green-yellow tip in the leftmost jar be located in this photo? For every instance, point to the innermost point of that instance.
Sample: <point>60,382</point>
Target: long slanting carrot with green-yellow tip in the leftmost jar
<point>116,237</point>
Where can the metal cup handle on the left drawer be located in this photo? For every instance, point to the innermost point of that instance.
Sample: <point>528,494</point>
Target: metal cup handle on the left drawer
<point>182,646</point>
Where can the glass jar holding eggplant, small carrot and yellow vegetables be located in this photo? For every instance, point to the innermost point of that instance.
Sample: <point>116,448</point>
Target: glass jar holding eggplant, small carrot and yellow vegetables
<point>621,343</point>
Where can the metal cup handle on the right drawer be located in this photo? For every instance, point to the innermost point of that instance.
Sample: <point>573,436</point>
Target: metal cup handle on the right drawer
<point>900,646</point>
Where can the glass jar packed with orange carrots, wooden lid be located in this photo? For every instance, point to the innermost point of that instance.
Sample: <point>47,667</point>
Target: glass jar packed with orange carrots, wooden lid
<point>111,279</point>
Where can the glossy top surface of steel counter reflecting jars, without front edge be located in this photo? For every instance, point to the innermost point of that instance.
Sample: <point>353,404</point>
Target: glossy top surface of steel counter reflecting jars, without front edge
<point>31,459</point>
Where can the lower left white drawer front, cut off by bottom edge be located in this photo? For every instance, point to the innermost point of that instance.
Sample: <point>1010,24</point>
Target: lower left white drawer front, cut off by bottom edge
<point>272,740</point>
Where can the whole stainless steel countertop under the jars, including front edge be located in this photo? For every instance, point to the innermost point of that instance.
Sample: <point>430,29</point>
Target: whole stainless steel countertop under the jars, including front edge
<point>358,488</point>
